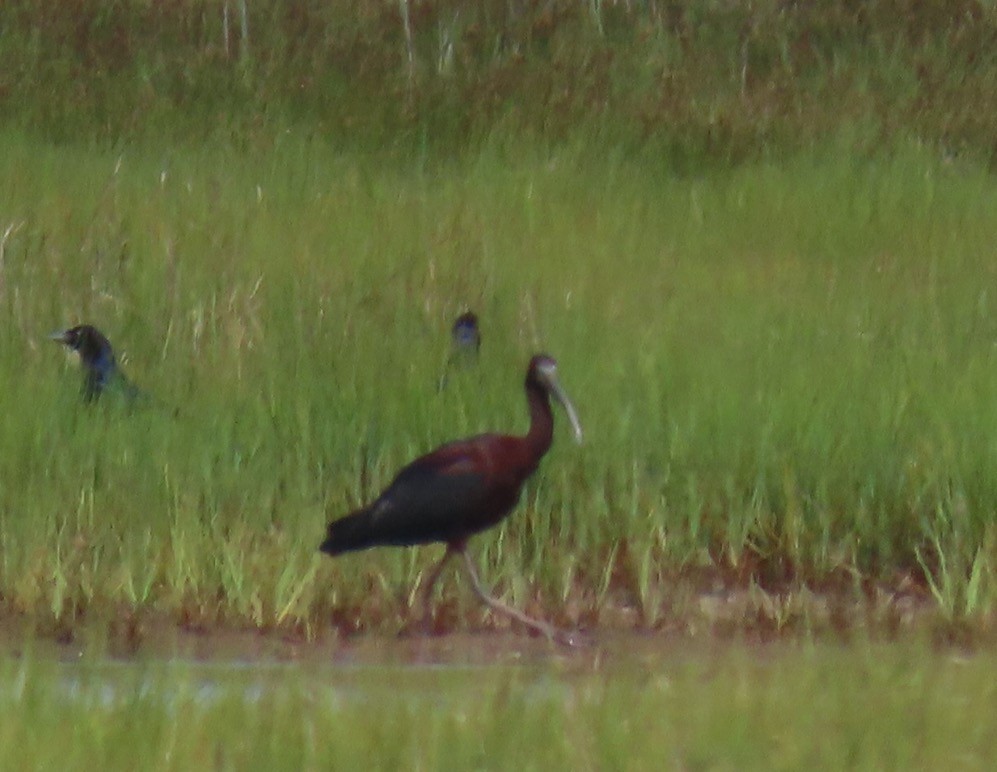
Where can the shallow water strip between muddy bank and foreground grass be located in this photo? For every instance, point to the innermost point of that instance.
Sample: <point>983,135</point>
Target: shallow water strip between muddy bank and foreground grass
<point>351,672</point>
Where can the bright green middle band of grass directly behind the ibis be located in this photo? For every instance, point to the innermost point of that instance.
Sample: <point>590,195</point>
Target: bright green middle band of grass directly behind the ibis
<point>784,371</point>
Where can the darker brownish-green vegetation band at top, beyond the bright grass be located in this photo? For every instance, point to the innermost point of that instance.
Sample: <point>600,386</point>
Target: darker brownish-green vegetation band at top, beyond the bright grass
<point>694,82</point>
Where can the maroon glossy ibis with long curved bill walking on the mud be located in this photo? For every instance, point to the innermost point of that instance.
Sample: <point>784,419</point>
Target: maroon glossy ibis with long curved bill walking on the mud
<point>459,489</point>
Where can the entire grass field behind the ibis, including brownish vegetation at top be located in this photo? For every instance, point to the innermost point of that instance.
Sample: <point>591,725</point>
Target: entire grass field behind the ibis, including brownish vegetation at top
<point>758,238</point>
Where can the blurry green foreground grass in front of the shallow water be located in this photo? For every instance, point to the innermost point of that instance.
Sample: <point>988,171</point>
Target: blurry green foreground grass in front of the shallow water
<point>866,707</point>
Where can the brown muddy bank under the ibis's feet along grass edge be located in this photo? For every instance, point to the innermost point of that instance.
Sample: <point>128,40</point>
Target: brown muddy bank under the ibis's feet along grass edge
<point>692,619</point>
